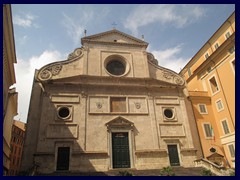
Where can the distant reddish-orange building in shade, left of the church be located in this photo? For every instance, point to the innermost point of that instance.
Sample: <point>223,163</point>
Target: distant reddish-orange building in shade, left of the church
<point>17,141</point>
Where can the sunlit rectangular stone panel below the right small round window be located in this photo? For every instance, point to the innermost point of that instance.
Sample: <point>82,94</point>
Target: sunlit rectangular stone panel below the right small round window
<point>172,130</point>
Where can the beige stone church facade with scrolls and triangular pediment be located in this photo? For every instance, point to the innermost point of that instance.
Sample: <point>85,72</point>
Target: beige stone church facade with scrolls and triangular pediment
<point>108,106</point>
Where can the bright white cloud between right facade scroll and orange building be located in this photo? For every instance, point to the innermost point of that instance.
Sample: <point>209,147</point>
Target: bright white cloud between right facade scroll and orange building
<point>169,58</point>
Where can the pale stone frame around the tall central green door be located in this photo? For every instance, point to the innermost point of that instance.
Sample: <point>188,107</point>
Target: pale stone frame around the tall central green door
<point>130,145</point>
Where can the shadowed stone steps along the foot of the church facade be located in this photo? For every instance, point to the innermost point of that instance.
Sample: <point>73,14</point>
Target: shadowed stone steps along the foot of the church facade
<point>179,171</point>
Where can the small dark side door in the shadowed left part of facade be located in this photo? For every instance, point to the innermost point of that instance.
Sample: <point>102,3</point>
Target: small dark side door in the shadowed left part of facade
<point>63,158</point>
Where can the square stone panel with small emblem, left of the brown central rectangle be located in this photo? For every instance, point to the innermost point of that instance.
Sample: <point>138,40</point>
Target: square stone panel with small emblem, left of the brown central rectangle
<point>98,105</point>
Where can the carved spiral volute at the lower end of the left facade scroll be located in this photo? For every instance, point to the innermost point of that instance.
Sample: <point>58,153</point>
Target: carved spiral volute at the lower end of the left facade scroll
<point>50,71</point>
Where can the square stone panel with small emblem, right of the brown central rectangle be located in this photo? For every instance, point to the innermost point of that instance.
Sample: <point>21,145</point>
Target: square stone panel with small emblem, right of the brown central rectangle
<point>138,105</point>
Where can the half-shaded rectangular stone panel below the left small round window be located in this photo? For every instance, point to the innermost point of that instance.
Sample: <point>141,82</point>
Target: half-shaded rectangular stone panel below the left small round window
<point>62,131</point>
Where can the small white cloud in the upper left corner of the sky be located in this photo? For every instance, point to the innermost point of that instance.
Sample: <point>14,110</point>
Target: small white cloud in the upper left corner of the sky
<point>25,21</point>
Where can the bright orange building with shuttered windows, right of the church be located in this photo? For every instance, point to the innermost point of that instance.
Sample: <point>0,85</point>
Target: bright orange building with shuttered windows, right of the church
<point>210,76</point>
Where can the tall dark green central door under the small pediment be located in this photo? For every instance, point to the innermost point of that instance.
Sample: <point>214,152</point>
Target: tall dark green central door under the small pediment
<point>120,150</point>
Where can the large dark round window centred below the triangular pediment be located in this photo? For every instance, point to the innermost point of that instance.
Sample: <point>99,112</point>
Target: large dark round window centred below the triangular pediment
<point>116,67</point>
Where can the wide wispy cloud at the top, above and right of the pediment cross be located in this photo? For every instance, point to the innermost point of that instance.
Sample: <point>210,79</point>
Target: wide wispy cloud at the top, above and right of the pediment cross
<point>176,15</point>
